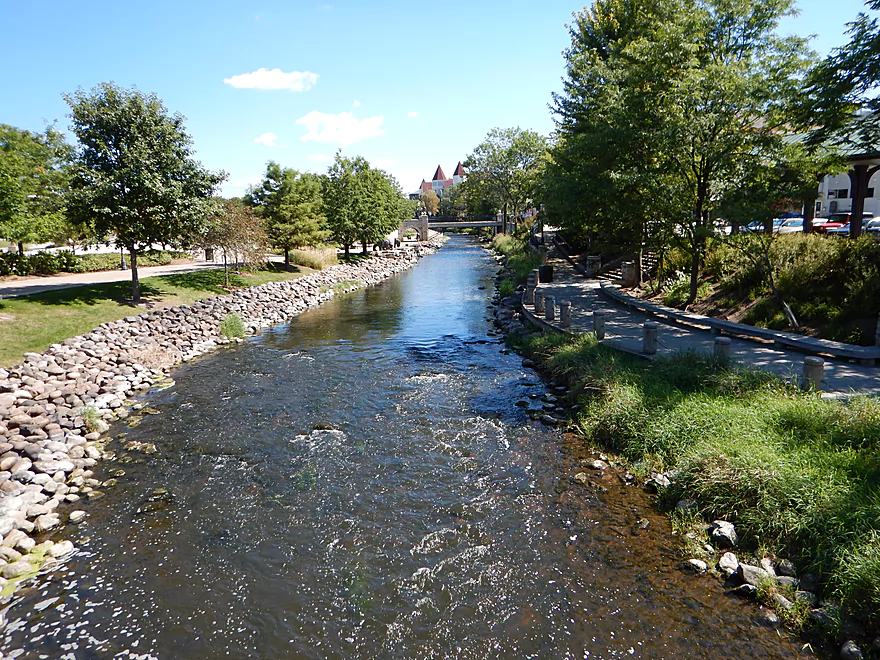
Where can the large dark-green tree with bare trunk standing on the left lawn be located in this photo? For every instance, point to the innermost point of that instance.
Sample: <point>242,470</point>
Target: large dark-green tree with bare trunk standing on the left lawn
<point>135,180</point>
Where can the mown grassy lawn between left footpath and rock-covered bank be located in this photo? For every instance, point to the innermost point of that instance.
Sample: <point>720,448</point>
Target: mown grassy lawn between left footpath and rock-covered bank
<point>32,323</point>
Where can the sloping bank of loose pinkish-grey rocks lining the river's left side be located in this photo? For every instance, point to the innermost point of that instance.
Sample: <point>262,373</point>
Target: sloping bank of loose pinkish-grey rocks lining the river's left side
<point>56,407</point>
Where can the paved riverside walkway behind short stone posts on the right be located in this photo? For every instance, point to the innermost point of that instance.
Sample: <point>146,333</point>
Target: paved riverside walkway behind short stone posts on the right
<point>623,329</point>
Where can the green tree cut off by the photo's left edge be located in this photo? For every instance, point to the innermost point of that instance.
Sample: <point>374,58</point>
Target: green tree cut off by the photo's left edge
<point>33,178</point>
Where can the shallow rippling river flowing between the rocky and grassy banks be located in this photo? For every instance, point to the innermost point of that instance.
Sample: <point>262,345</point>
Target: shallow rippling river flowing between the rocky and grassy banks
<point>361,484</point>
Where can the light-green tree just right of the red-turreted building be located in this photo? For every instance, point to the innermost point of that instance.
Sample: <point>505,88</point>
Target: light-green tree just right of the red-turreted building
<point>507,166</point>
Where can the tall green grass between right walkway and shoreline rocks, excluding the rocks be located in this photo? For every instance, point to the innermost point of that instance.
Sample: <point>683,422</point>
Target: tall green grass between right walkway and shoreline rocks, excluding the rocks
<point>798,475</point>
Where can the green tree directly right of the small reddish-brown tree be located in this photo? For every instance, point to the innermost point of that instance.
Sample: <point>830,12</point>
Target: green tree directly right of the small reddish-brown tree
<point>291,205</point>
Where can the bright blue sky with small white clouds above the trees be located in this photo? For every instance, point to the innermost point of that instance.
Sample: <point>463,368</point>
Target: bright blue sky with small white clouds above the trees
<point>407,85</point>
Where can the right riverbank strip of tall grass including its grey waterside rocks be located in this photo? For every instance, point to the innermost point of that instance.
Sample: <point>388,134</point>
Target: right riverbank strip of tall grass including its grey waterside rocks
<point>772,491</point>
